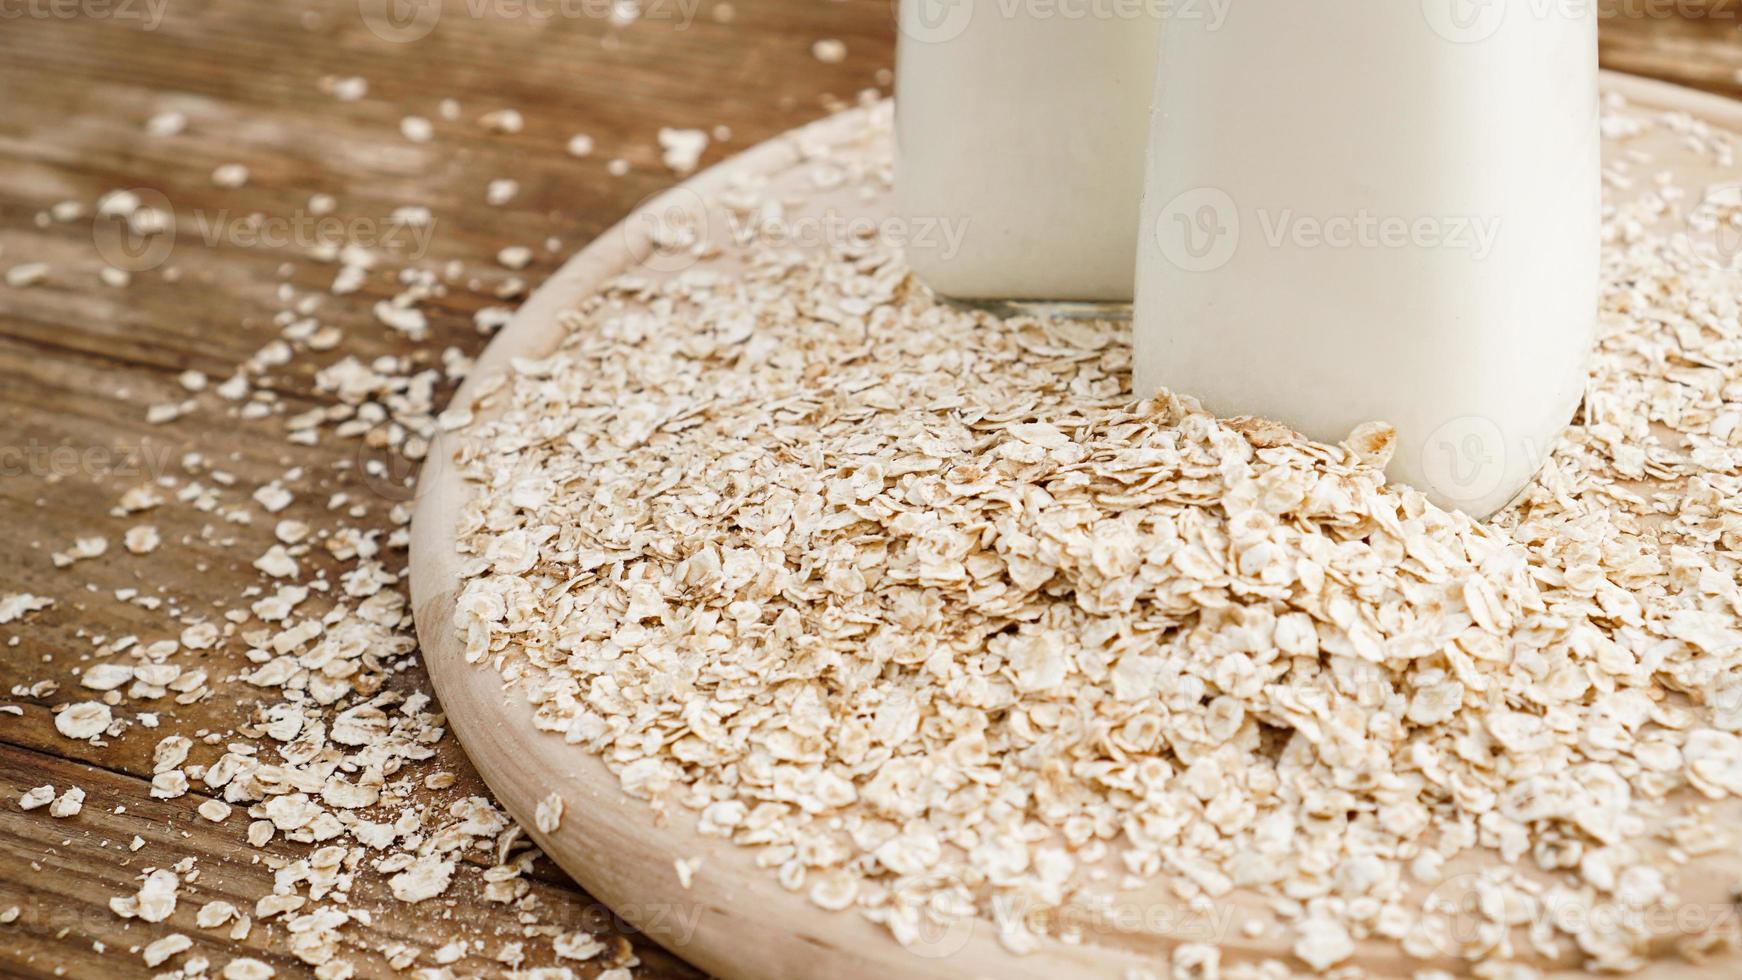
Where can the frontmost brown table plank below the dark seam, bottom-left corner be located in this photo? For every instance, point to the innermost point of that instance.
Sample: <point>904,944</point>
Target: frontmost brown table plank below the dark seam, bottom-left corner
<point>62,875</point>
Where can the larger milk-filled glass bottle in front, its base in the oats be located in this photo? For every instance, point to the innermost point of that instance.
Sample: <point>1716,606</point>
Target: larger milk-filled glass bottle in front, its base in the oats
<point>1379,211</point>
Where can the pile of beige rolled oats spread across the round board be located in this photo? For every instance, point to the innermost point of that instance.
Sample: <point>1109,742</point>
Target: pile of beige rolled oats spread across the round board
<point>929,612</point>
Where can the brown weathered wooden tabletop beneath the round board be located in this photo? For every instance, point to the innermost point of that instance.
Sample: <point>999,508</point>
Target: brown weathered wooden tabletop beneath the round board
<point>83,361</point>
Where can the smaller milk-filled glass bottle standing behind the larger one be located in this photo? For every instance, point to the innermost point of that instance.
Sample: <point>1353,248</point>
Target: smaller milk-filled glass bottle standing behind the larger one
<point>1020,130</point>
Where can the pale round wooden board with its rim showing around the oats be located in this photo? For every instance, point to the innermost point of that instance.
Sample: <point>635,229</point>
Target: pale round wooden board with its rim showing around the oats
<point>736,920</point>
